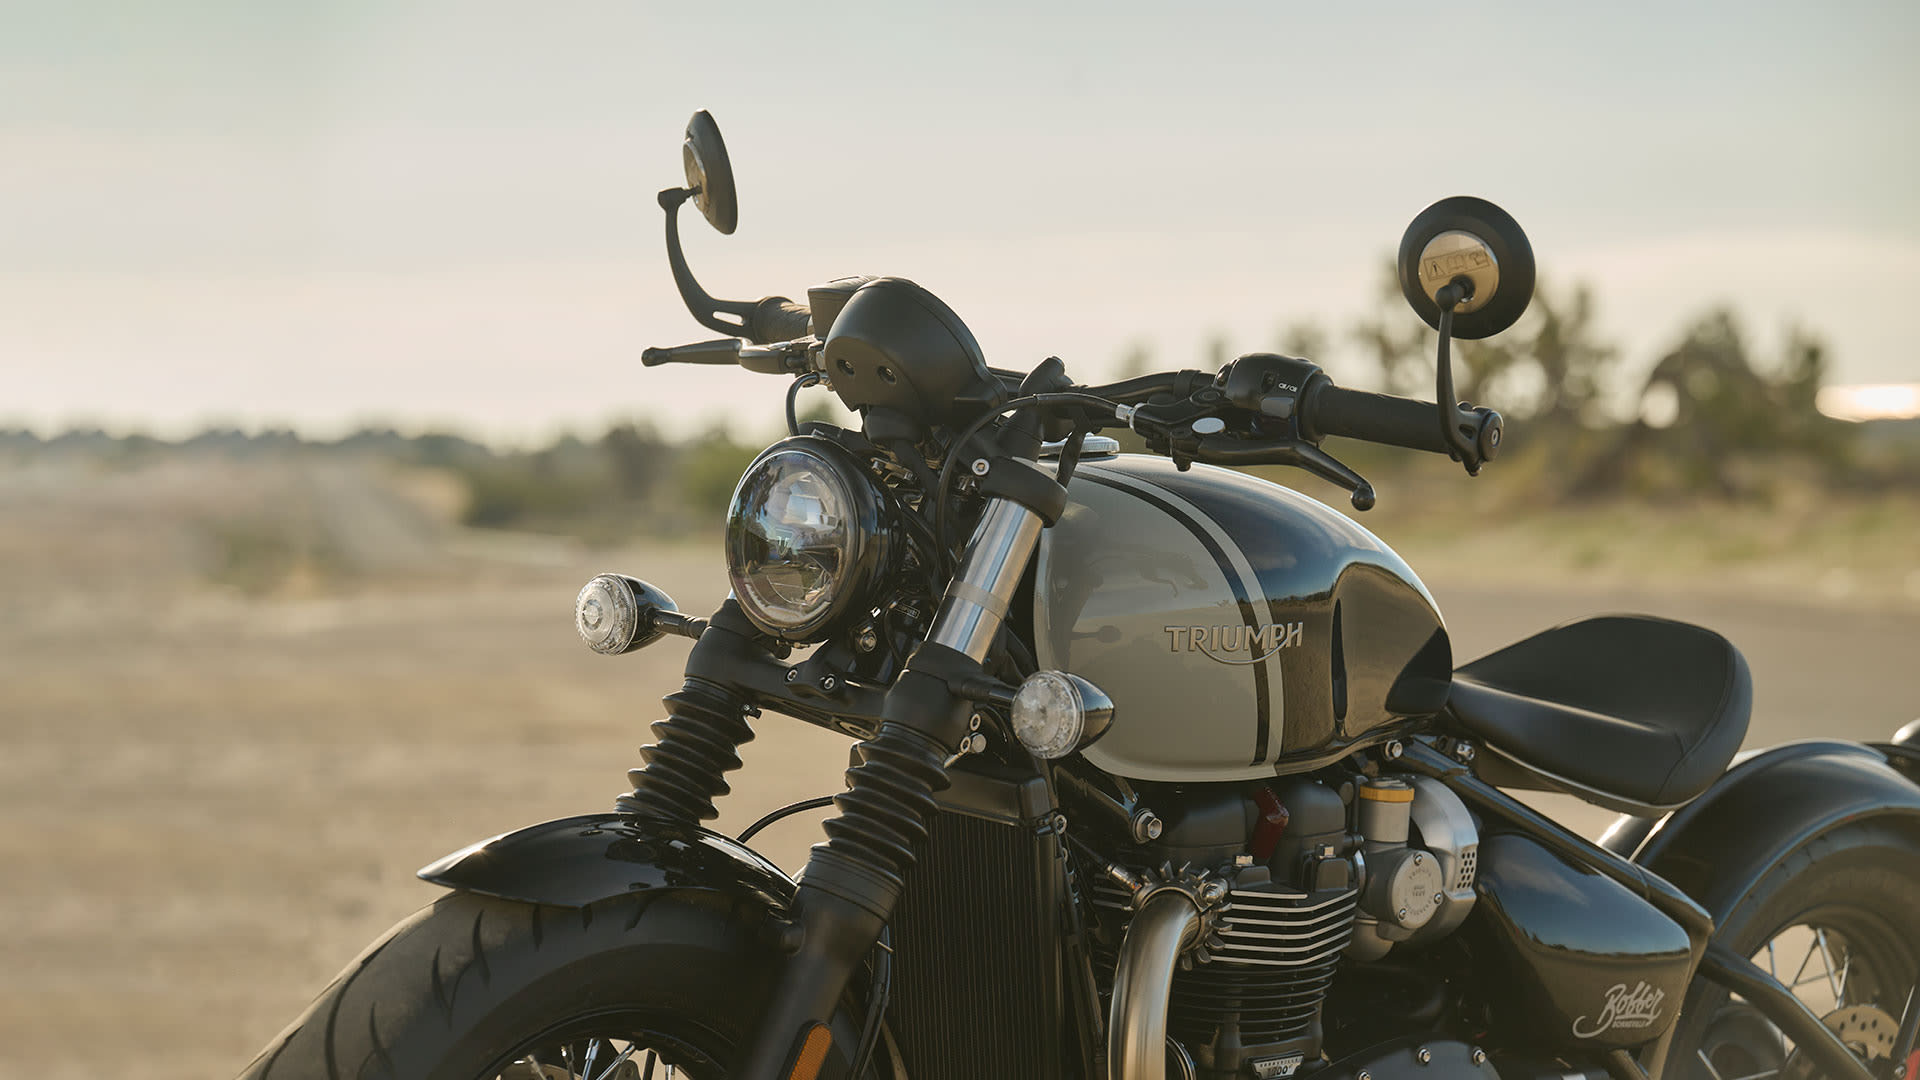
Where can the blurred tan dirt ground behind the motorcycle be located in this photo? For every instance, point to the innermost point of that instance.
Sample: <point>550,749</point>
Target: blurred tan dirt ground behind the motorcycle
<point>210,802</point>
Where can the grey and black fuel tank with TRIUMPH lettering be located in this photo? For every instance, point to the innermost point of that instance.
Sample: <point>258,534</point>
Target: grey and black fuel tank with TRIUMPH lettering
<point>1239,627</point>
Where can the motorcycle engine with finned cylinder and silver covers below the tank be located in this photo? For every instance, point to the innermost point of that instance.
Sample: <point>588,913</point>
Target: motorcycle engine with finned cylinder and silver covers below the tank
<point>1316,873</point>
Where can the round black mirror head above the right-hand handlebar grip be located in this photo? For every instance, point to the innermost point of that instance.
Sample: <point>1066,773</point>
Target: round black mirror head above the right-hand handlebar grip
<point>1474,239</point>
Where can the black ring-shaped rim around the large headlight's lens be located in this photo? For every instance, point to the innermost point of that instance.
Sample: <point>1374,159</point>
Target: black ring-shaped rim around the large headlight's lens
<point>873,539</point>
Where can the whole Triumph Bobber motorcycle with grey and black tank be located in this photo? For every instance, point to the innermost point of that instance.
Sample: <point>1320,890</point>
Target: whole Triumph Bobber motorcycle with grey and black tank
<point>1159,770</point>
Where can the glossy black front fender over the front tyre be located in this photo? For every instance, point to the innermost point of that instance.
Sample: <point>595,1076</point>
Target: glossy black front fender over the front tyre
<point>583,860</point>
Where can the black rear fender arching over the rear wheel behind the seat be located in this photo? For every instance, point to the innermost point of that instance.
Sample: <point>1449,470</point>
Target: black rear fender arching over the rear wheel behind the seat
<point>1719,847</point>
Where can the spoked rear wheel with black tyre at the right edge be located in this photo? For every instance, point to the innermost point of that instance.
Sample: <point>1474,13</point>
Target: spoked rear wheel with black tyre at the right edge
<point>1838,923</point>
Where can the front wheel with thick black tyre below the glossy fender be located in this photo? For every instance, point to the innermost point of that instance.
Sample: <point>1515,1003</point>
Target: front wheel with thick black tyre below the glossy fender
<point>479,989</point>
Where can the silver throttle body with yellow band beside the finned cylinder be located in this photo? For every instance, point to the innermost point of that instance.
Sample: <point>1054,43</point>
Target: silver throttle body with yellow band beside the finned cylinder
<point>1404,887</point>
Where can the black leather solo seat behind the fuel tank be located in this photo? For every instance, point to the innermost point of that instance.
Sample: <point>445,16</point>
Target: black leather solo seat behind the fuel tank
<point>1644,710</point>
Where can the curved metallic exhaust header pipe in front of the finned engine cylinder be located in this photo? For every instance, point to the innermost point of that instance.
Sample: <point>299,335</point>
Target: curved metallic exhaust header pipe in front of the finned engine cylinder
<point>1138,1029</point>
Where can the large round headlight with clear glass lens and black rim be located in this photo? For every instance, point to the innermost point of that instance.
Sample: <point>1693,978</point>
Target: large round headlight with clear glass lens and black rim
<point>805,539</point>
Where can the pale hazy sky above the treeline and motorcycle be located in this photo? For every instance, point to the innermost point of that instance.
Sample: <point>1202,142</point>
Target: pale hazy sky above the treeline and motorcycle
<point>295,212</point>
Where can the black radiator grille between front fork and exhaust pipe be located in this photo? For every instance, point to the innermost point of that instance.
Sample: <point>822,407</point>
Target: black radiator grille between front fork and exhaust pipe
<point>976,958</point>
